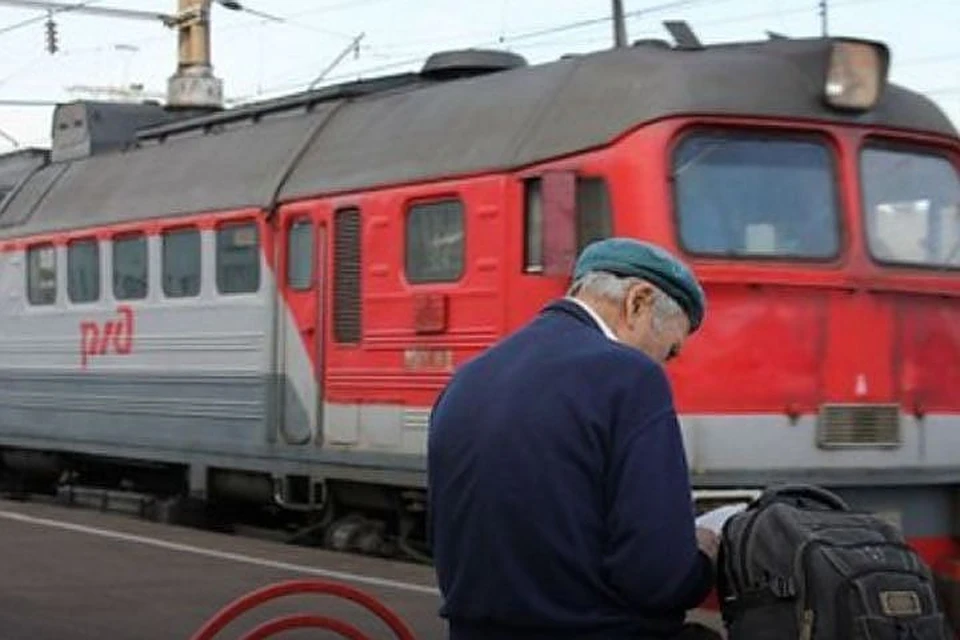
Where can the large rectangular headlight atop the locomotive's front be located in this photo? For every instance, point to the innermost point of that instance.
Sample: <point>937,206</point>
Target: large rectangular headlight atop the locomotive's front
<point>856,74</point>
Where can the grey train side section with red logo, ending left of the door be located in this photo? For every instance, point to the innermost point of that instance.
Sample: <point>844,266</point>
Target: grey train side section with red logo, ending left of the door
<point>198,373</point>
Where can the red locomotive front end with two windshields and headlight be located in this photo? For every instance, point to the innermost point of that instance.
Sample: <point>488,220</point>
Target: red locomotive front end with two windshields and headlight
<point>828,240</point>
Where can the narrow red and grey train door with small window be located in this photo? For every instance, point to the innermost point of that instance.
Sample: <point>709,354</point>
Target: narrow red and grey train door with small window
<point>301,328</point>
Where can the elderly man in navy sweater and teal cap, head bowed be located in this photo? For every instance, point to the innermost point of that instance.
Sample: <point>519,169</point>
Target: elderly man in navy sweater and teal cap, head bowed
<point>559,502</point>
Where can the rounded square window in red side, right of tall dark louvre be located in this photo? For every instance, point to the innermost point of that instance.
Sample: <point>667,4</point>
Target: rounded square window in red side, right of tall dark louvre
<point>435,242</point>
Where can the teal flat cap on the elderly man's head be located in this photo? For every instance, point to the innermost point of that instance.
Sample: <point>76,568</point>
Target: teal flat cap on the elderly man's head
<point>626,257</point>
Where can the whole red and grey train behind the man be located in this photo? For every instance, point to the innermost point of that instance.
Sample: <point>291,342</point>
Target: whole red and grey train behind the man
<point>260,304</point>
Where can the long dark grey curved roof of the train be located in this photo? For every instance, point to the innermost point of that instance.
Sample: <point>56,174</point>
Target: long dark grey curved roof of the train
<point>445,121</point>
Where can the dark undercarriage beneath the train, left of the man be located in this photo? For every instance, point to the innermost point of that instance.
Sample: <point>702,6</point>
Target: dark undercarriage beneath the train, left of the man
<point>376,520</point>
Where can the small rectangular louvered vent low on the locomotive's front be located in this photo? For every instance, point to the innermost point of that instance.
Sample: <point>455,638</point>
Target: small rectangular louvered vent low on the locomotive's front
<point>859,425</point>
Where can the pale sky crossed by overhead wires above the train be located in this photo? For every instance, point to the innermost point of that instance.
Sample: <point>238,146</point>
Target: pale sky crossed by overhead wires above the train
<point>258,58</point>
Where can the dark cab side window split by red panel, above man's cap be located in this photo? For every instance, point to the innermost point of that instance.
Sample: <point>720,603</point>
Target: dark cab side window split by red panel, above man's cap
<point>594,218</point>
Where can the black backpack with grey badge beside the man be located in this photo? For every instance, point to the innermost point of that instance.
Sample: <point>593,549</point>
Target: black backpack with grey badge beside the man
<point>799,564</point>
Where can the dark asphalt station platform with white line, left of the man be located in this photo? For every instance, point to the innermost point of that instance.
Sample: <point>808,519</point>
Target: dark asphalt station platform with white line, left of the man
<point>83,574</point>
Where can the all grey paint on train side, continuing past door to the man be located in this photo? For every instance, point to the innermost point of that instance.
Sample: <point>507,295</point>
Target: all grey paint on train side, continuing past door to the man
<point>212,381</point>
